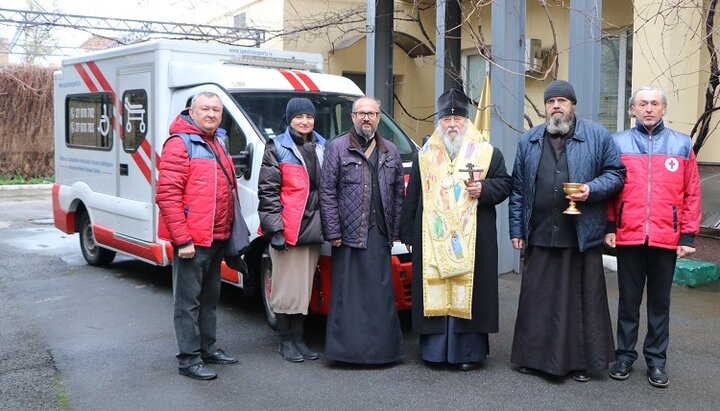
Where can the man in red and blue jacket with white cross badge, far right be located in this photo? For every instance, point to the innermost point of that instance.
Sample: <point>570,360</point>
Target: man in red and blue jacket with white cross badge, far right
<point>652,221</point>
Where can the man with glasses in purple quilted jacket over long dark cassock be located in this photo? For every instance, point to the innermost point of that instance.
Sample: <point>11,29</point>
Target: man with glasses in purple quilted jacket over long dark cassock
<point>361,196</point>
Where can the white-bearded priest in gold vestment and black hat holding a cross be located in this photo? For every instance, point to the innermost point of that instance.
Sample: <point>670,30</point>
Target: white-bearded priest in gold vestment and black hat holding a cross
<point>448,222</point>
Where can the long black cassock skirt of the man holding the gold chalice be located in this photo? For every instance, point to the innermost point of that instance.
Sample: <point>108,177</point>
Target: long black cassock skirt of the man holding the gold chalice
<point>563,321</point>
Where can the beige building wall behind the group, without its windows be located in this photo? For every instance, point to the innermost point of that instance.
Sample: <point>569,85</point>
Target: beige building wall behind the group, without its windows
<point>667,51</point>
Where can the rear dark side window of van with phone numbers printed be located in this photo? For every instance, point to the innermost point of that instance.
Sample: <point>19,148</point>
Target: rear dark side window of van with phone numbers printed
<point>88,120</point>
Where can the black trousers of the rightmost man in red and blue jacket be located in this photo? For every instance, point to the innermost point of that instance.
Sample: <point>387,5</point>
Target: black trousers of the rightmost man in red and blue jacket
<point>635,265</point>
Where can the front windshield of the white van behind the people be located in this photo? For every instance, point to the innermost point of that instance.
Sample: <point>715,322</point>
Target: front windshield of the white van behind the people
<point>267,111</point>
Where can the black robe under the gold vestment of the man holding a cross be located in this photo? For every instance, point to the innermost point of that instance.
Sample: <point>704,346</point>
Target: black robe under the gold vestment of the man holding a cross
<point>450,339</point>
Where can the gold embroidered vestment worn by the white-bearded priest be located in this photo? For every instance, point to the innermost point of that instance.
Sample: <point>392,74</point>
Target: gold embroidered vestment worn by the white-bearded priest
<point>449,222</point>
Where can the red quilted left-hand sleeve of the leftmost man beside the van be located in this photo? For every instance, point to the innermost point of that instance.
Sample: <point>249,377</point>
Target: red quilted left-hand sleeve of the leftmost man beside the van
<point>174,171</point>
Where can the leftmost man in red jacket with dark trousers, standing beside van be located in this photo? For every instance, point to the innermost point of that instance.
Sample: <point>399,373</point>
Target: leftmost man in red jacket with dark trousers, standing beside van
<point>196,214</point>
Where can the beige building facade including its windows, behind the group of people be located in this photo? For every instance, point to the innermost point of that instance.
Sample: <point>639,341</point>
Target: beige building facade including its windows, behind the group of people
<point>638,47</point>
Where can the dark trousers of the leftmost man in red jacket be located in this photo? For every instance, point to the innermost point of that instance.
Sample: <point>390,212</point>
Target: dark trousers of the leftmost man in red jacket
<point>196,292</point>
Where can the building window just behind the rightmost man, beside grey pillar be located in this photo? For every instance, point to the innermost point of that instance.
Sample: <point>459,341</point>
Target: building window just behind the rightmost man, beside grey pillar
<point>615,79</point>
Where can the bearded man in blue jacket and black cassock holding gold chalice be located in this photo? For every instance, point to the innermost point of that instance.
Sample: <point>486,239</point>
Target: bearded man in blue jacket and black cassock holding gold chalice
<point>563,320</point>
